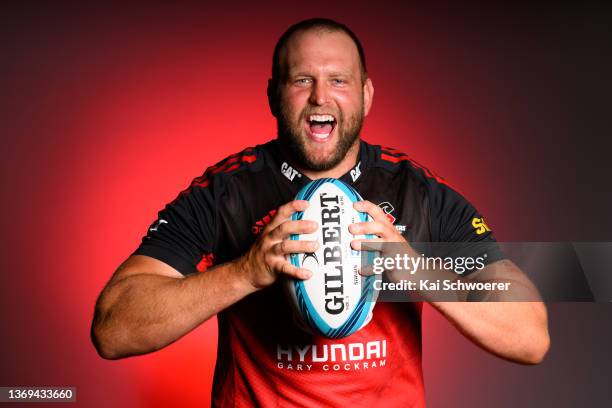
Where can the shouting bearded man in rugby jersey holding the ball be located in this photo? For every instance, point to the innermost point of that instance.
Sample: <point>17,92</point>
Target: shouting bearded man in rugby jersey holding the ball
<point>232,225</point>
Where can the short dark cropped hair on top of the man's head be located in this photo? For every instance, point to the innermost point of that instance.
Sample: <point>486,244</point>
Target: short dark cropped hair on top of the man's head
<point>324,24</point>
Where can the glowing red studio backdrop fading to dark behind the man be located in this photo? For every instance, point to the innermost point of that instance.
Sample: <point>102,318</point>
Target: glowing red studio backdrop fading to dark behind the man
<point>108,111</point>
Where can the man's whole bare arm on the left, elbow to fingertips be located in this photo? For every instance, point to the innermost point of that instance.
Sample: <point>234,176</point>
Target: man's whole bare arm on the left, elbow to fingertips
<point>147,304</point>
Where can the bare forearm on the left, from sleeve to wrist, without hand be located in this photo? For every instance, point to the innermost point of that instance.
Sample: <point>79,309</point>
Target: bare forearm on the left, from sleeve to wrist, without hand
<point>144,312</point>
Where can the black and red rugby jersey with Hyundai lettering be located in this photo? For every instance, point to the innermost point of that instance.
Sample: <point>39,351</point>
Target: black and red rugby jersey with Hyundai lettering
<point>264,358</point>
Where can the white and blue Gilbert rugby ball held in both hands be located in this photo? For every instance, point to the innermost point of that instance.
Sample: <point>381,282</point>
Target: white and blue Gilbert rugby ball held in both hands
<point>336,301</point>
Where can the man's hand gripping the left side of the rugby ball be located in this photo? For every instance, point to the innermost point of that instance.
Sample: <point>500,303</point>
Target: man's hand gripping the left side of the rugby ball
<point>267,258</point>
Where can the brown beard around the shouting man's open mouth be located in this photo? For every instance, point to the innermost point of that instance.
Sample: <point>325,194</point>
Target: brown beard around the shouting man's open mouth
<point>291,137</point>
